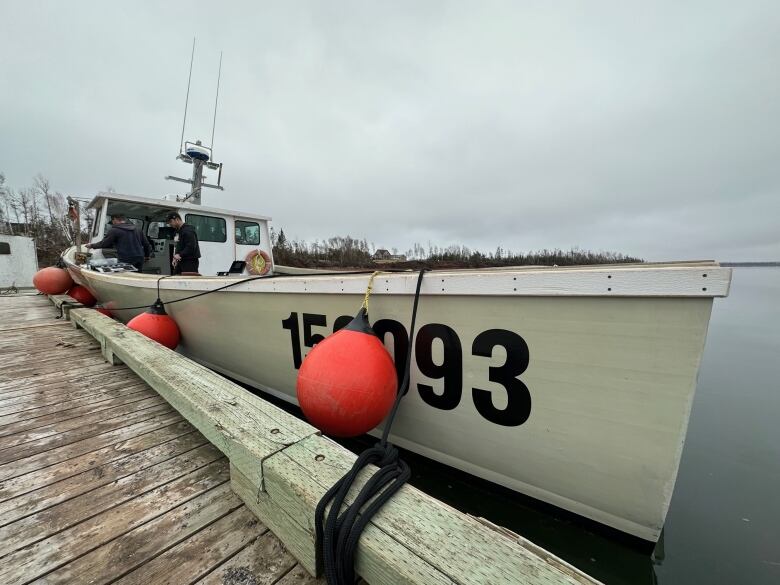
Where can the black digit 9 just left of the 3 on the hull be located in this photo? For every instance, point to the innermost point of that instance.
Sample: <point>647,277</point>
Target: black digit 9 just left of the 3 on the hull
<point>451,368</point>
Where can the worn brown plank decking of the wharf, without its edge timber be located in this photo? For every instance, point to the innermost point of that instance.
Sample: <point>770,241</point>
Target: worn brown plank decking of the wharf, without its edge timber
<point>102,481</point>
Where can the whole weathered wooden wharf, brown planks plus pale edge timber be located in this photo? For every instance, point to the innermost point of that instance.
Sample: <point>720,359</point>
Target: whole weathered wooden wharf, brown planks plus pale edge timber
<point>124,462</point>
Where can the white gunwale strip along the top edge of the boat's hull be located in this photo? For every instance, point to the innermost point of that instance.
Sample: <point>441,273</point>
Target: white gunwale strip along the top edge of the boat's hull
<point>700,281</point>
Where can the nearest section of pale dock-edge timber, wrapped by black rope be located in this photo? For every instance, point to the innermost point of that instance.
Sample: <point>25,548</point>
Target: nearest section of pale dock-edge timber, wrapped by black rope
<point>437,543</point>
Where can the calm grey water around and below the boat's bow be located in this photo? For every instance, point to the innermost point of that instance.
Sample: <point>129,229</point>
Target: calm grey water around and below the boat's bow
<point>724,522</point>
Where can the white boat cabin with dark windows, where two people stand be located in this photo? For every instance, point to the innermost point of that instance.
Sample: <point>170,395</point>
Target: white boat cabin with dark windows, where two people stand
<point>224,236</point>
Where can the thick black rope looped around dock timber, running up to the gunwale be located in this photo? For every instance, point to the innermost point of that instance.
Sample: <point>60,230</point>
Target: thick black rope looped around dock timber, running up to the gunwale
<point>339,533</point>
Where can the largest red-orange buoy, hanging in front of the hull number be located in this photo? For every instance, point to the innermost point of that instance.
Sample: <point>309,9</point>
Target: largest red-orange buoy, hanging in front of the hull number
<point>347,384</point>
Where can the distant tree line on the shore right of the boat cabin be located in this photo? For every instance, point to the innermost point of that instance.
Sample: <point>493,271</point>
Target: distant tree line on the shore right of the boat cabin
<point>348,252</point>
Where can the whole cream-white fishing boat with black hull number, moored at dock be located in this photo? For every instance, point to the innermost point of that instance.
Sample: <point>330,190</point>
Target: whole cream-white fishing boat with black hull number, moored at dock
<point>572,385</point>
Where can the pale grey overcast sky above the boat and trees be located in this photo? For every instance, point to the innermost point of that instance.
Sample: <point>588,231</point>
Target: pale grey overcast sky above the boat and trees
<point>649,128</point>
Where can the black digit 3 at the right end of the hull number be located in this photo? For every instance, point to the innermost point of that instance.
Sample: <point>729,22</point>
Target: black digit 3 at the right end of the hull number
<point>518,406</point>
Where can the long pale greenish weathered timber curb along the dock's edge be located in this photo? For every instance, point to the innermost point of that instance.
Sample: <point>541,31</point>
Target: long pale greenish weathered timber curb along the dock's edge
<point>281,466</point>
